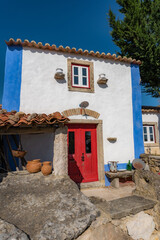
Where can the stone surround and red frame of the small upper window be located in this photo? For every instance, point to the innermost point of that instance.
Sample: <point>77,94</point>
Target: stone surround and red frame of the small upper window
<point>79,88</point>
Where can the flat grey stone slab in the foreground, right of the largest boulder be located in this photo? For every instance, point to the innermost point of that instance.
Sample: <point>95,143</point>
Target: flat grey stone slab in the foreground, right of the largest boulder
<point>126,206</point>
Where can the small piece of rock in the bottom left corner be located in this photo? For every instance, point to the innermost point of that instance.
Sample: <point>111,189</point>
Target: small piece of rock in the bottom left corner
<point>10,232</point>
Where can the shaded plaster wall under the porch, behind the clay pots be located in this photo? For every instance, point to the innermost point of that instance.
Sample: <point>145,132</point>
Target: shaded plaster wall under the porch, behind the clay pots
<point>38,146</point>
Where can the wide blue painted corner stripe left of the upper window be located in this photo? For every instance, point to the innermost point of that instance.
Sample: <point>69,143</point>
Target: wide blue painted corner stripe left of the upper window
<point>12,81</point>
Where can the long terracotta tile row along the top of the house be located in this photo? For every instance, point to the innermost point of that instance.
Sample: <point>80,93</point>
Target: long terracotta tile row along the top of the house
<point>67,49</point>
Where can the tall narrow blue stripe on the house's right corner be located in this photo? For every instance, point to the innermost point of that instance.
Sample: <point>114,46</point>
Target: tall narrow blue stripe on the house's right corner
<point>137,111</point>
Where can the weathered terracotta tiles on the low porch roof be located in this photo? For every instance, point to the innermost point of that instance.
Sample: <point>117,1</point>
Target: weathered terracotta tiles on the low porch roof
<point>15,119</point>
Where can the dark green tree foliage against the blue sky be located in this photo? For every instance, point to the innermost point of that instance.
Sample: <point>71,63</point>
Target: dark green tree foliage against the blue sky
<point>138,36</point>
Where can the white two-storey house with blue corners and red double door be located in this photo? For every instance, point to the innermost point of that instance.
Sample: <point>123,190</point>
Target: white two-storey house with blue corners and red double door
<point>99,93</point>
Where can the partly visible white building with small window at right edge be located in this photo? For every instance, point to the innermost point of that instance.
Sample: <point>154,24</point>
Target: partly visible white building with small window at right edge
<point>151,129</point>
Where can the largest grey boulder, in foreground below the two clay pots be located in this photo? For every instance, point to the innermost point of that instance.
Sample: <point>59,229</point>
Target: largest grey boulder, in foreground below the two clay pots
<point>45,207</point>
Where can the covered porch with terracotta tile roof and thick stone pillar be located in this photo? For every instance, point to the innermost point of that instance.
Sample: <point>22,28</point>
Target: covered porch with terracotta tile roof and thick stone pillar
<point>41,136</point>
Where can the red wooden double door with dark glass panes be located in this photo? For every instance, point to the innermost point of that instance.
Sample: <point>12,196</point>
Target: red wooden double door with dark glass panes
<point>82,153</point>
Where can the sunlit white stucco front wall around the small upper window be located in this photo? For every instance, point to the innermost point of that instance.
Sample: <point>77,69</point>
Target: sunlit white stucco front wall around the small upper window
<point>40,92</point>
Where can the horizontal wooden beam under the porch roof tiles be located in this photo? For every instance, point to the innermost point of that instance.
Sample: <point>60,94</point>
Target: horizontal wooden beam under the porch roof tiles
<point>26,130</point>
